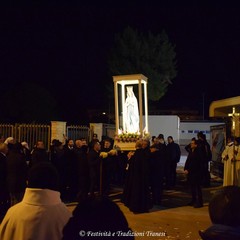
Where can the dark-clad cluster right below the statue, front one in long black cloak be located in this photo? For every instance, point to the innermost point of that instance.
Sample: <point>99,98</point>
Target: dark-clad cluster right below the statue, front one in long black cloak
<point>151,168</point>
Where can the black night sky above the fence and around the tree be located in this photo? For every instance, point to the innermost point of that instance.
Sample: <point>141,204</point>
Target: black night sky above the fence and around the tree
<point>65,48</point>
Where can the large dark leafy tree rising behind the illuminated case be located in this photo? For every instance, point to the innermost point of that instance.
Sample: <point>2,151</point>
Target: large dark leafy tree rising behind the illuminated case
<point>152,56</point>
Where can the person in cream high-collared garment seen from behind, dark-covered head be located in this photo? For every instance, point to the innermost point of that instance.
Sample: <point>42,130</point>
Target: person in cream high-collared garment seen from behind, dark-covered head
<point>41,214</point>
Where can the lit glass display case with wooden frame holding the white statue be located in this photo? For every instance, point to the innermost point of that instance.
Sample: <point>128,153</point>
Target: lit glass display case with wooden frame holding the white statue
<point>131,109</point>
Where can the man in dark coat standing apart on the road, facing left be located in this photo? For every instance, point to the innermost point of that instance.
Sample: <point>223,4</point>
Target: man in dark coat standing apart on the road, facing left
<point>194,170</point>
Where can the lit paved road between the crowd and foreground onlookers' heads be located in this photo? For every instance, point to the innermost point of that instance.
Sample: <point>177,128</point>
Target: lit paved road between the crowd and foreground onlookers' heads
<point>173,219</point>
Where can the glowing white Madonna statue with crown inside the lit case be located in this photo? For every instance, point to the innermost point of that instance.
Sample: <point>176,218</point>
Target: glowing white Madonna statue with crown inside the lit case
<point>131,113</point>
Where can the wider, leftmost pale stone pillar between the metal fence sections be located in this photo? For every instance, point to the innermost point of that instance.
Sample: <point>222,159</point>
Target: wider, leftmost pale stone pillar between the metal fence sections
<point>58,130</point>
